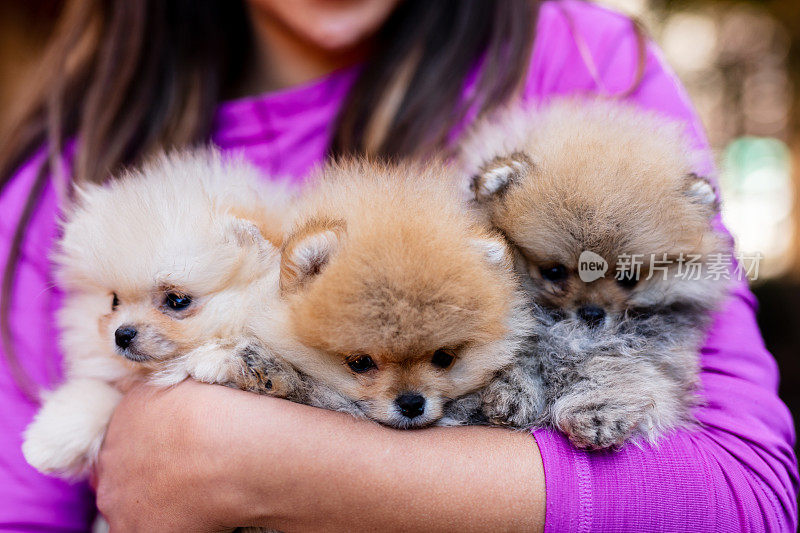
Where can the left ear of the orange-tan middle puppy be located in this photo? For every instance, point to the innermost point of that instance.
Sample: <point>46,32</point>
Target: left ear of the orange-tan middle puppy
<point>306,253</point>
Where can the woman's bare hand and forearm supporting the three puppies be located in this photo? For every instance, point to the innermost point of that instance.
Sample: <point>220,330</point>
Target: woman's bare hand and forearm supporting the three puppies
<point>207,458</point>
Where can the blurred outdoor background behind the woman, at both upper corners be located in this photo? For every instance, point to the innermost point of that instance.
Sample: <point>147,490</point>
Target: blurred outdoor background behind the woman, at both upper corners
<point>740,61</point>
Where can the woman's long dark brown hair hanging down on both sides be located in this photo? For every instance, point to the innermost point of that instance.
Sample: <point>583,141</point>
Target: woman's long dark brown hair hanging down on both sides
<point>128,78</point>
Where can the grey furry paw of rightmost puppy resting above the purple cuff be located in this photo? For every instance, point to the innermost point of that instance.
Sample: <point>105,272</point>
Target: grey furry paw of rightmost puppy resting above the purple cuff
<point>597,426</point>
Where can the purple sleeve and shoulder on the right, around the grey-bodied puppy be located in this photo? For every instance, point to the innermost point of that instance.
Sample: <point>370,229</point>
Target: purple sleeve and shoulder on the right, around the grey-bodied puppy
<point>738,472</point>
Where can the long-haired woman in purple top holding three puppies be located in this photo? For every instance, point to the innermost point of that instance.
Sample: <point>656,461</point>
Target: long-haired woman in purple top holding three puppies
<point>377,76</point>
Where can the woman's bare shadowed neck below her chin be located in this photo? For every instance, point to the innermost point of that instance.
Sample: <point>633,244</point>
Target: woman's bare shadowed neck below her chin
<point>282,59</point>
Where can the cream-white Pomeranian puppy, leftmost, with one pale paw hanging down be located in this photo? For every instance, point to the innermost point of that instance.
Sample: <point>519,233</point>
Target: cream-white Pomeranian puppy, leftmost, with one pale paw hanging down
<point>162,270</point>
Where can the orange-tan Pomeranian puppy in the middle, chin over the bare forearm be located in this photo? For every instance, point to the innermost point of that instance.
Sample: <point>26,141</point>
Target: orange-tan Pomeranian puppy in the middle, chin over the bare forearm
<point>395,296</point>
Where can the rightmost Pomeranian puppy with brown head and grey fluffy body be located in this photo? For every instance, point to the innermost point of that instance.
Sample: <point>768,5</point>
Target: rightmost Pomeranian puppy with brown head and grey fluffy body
<point>614,235</point>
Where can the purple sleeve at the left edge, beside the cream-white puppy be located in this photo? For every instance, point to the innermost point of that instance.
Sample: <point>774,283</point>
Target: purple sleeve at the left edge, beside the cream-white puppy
<point>30,501</point>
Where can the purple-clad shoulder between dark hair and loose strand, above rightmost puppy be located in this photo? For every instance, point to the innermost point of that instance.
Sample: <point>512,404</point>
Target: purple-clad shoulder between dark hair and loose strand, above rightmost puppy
<point>580,47</point>
